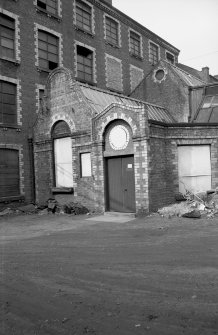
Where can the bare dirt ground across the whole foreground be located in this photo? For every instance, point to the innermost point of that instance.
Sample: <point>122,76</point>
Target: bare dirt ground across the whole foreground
<point>66,275</point>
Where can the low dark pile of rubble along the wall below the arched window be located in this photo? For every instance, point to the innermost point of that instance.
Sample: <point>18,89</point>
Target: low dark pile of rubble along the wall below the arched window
<point>52,206</point>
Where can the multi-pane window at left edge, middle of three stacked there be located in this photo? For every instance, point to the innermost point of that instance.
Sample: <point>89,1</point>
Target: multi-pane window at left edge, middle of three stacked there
<point>8,106</point>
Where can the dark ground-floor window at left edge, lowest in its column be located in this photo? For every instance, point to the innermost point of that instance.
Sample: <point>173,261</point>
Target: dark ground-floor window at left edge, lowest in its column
<point>9,173</point>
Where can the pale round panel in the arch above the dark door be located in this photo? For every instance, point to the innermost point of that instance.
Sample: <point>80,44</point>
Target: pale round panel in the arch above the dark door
<point>119,137</point>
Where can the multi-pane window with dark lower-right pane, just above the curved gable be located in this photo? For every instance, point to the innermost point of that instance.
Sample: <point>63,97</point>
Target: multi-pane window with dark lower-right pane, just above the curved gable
<point>48,50</point>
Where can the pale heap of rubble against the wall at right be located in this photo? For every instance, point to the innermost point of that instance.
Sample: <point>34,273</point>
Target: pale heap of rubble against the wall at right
<point>190,205</point>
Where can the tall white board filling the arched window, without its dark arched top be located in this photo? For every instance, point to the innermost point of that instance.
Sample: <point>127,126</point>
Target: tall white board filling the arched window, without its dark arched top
<point>63,162</point>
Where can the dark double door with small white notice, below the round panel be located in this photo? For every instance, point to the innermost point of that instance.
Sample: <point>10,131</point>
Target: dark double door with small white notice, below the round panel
<point>121,184</point>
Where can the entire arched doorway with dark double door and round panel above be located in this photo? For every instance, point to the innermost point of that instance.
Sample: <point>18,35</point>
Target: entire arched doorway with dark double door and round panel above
<point>119,167</point>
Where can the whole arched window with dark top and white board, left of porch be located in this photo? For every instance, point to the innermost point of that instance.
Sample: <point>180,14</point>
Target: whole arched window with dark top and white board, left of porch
<point>62,149</point>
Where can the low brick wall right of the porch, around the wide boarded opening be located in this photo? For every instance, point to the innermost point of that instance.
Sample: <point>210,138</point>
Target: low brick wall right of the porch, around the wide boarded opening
<point>163,159</point>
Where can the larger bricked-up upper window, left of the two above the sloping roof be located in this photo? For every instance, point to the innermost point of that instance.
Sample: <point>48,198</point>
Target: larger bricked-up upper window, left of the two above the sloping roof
<point>114,73</point>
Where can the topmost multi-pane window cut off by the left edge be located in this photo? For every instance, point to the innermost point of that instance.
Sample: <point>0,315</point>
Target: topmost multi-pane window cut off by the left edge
<point>7,36</point>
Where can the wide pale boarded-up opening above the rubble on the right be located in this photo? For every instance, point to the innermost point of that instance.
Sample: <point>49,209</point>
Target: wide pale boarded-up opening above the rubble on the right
<point>194,167</point>
